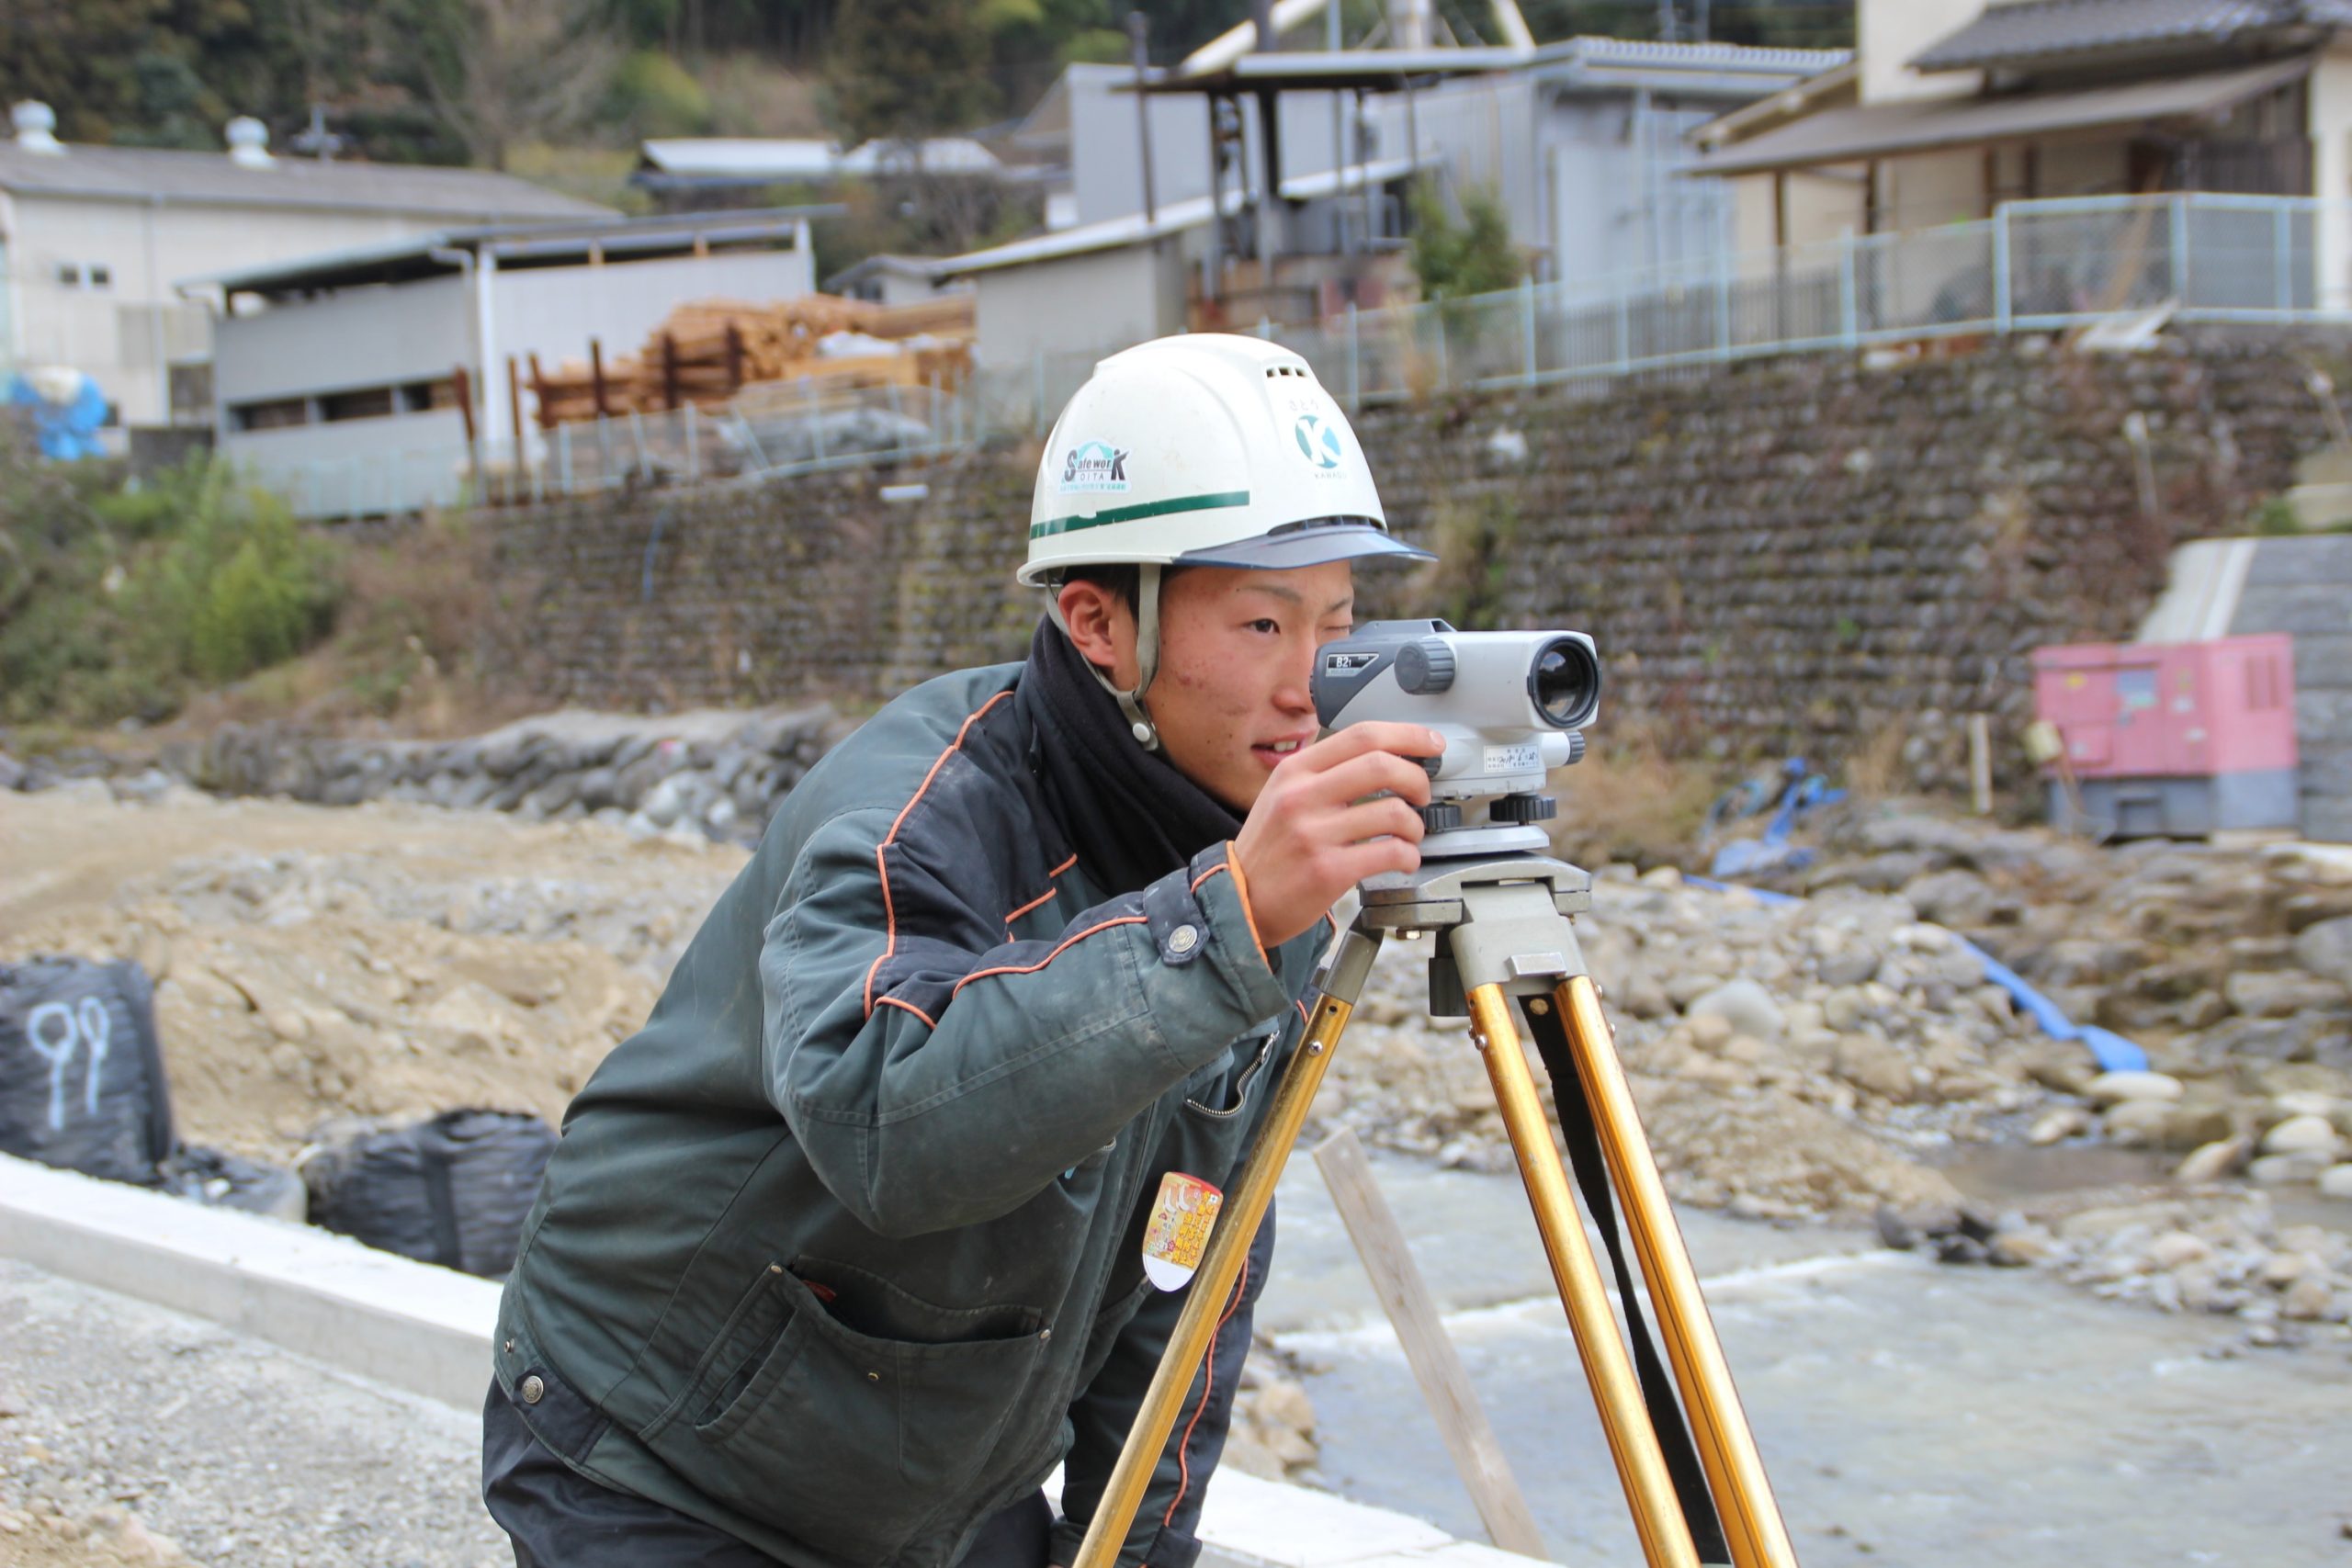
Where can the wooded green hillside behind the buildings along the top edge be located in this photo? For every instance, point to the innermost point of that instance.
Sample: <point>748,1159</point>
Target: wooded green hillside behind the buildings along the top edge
<point>502,83</point>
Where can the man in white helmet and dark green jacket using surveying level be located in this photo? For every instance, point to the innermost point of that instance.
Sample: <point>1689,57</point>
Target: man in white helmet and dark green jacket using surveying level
<point>843,1252</point>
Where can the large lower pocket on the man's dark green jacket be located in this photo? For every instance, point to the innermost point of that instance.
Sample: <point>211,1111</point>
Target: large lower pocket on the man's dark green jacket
<point>850,1435</point>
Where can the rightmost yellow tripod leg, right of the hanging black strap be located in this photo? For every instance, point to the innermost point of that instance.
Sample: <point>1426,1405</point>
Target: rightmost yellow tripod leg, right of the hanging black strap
<point>1728,1452</point>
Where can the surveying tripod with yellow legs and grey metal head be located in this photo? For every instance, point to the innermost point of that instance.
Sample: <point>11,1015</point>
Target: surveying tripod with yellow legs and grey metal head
<point>1504,937</point>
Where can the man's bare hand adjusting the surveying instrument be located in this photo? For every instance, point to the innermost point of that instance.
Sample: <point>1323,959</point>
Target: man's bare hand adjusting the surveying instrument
<point>1330,817</point>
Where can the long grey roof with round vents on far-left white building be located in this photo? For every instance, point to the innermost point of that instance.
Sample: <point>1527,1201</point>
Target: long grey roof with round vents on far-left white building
<point>213,180</point>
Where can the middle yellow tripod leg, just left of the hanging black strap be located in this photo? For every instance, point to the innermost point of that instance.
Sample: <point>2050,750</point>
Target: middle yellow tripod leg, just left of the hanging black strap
<point>1633,1445</point>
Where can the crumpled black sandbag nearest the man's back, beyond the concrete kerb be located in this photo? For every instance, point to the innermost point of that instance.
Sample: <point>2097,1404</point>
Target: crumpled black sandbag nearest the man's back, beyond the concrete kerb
<point>450,1191</point>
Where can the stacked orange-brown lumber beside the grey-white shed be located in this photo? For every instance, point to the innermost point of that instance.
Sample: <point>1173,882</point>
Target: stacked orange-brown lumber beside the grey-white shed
<point>709,351</point>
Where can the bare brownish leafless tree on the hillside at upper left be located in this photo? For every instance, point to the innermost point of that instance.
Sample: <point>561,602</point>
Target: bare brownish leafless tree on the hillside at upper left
<point>512,72</point>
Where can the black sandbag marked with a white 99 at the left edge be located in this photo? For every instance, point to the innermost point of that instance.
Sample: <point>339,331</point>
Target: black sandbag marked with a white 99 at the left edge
<point>81,1071</point>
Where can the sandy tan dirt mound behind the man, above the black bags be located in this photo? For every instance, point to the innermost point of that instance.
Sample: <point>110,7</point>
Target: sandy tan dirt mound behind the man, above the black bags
<point>413,963</point>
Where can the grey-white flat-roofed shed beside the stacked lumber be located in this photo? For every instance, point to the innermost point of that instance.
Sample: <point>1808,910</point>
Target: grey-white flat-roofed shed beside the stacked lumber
<point>338,377</point>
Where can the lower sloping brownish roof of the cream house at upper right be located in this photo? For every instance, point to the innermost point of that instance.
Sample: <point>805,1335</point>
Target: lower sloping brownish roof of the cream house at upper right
<point>1885,130</point>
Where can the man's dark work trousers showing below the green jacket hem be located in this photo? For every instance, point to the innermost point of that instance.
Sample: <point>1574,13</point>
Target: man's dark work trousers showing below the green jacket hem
<point>561,1520</point>
